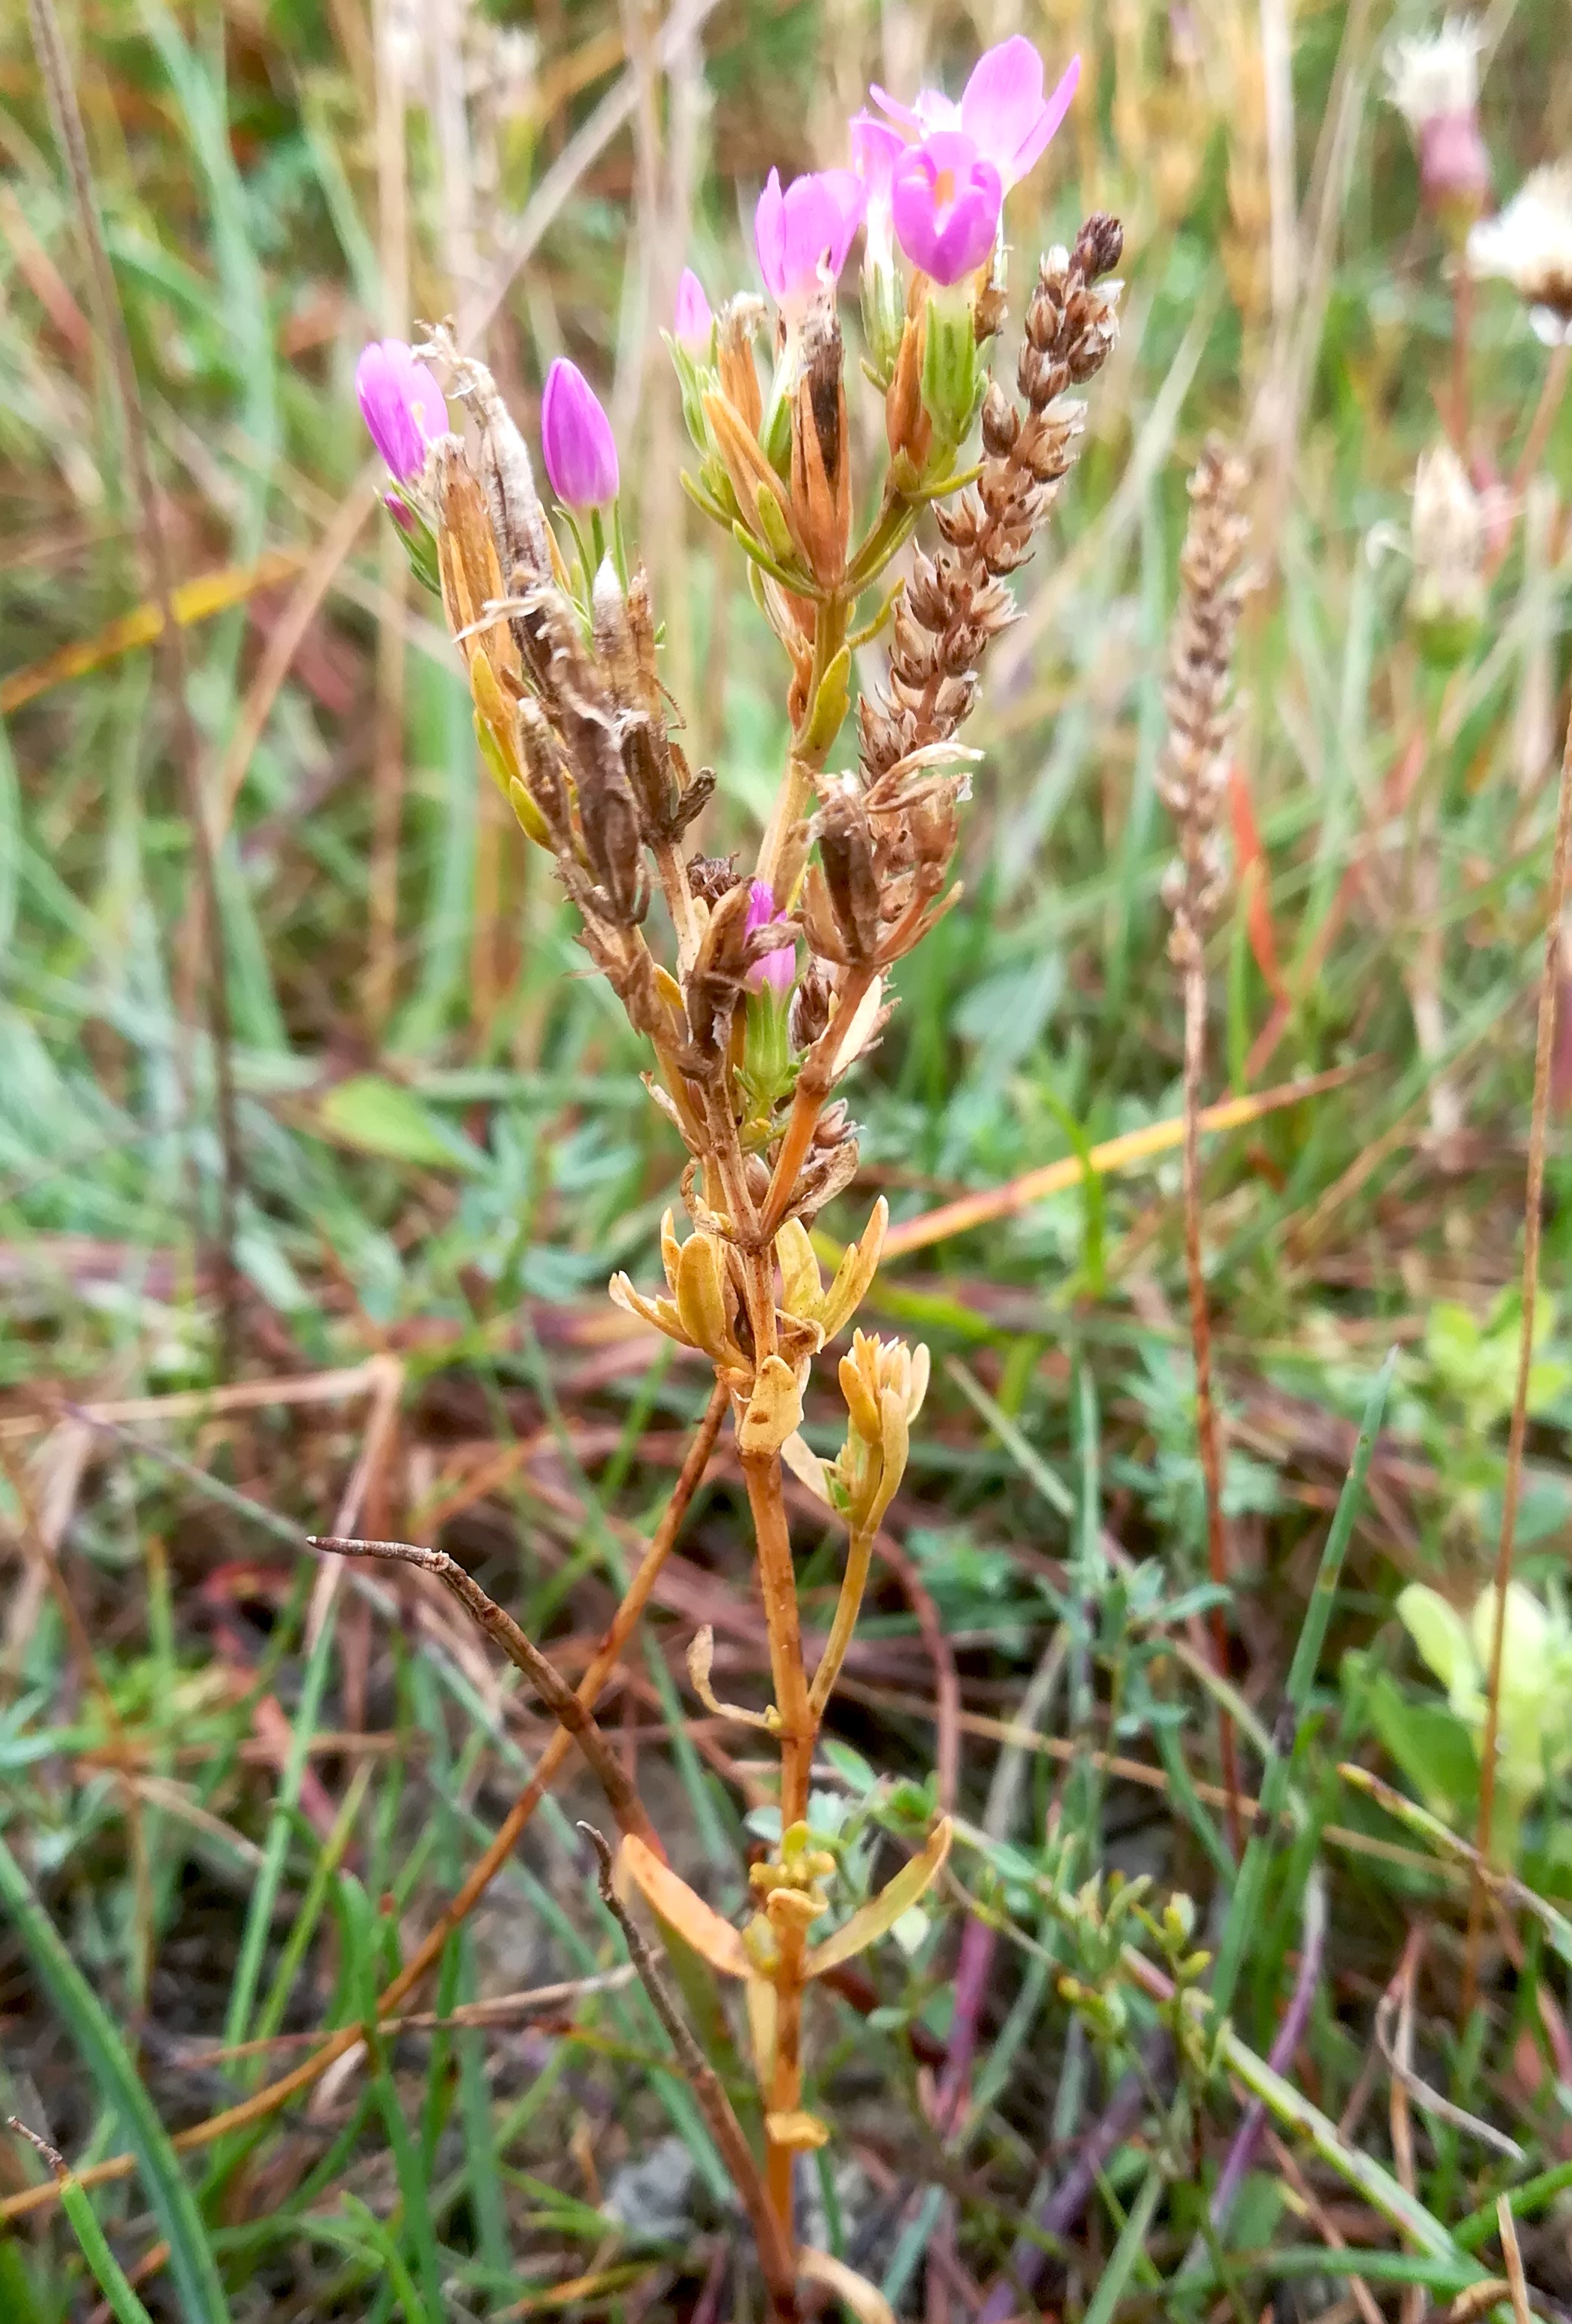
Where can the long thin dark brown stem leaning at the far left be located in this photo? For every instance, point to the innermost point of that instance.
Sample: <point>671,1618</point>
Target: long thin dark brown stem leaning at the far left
<point>66,115</point>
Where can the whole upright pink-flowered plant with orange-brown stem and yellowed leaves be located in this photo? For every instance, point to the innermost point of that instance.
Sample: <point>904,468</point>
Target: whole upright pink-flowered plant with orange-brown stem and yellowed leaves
<point>773,982</point>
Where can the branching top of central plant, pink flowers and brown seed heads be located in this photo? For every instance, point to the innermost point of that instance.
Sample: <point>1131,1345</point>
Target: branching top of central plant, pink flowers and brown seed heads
<point>559,633</point>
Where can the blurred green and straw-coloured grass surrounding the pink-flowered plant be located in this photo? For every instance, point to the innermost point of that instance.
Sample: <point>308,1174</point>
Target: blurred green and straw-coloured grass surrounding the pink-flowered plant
<point>192,1849</point>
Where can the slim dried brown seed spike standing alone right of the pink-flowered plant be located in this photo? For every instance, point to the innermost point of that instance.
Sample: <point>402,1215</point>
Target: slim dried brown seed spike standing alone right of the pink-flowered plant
<point>1194,768</point>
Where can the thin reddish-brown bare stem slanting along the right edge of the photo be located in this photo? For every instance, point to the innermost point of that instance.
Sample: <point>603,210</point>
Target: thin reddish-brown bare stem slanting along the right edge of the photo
<point>1534,1207</point>
